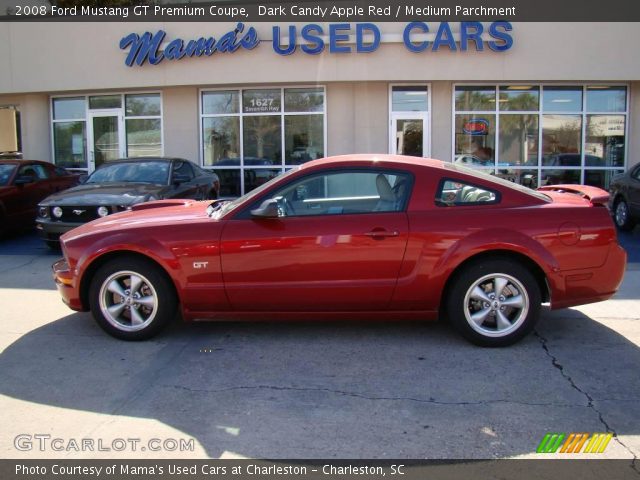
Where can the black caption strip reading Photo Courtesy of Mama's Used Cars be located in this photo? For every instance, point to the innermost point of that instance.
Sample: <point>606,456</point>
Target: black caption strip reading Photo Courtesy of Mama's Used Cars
<point>543,469</point>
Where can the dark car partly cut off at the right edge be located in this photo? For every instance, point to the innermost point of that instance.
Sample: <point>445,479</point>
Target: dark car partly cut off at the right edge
<point>624,199</point>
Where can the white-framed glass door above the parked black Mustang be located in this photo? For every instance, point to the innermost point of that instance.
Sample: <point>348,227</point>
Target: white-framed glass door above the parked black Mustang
<point>106,137</point>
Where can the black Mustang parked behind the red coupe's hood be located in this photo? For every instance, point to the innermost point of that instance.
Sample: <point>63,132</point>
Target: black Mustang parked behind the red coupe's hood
<point>118,185</point>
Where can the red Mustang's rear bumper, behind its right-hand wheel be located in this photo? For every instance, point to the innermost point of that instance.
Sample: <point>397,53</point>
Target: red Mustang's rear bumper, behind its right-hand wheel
<point>578,287</point>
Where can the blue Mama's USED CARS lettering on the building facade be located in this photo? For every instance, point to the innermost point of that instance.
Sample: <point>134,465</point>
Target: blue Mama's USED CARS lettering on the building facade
<point>313,39</point>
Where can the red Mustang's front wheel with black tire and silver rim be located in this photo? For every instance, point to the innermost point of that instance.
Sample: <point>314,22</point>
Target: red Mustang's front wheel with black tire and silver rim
<point>137,315</point>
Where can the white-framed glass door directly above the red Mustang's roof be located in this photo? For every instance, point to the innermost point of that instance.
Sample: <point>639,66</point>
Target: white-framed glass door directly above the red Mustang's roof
<point>408,134</point>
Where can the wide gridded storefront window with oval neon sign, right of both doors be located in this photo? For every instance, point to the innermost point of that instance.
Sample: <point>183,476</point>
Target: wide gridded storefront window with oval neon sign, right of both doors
<point>563,135</point>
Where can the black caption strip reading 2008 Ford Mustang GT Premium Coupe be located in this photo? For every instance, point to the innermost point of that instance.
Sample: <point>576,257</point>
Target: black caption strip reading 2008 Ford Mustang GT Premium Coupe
<point>325,11</point>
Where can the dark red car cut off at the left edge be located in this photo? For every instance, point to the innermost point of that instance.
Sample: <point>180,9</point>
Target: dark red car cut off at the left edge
<point>23,184</point>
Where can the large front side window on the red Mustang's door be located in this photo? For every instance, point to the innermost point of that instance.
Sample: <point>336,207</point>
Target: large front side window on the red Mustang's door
<point>344,193</point>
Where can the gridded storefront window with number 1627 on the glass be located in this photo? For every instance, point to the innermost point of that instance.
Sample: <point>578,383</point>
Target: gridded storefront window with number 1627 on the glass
<point>252,135</point>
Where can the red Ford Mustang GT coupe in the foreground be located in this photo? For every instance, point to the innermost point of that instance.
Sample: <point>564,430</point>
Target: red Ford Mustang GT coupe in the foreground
<point>352,237</point>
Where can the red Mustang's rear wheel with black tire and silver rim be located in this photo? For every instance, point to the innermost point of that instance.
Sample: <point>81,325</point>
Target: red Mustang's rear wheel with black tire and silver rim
<point>504,324</point>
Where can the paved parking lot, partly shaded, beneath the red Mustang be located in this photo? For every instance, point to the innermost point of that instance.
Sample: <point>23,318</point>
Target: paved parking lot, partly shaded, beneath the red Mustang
<point>309,390</point>
